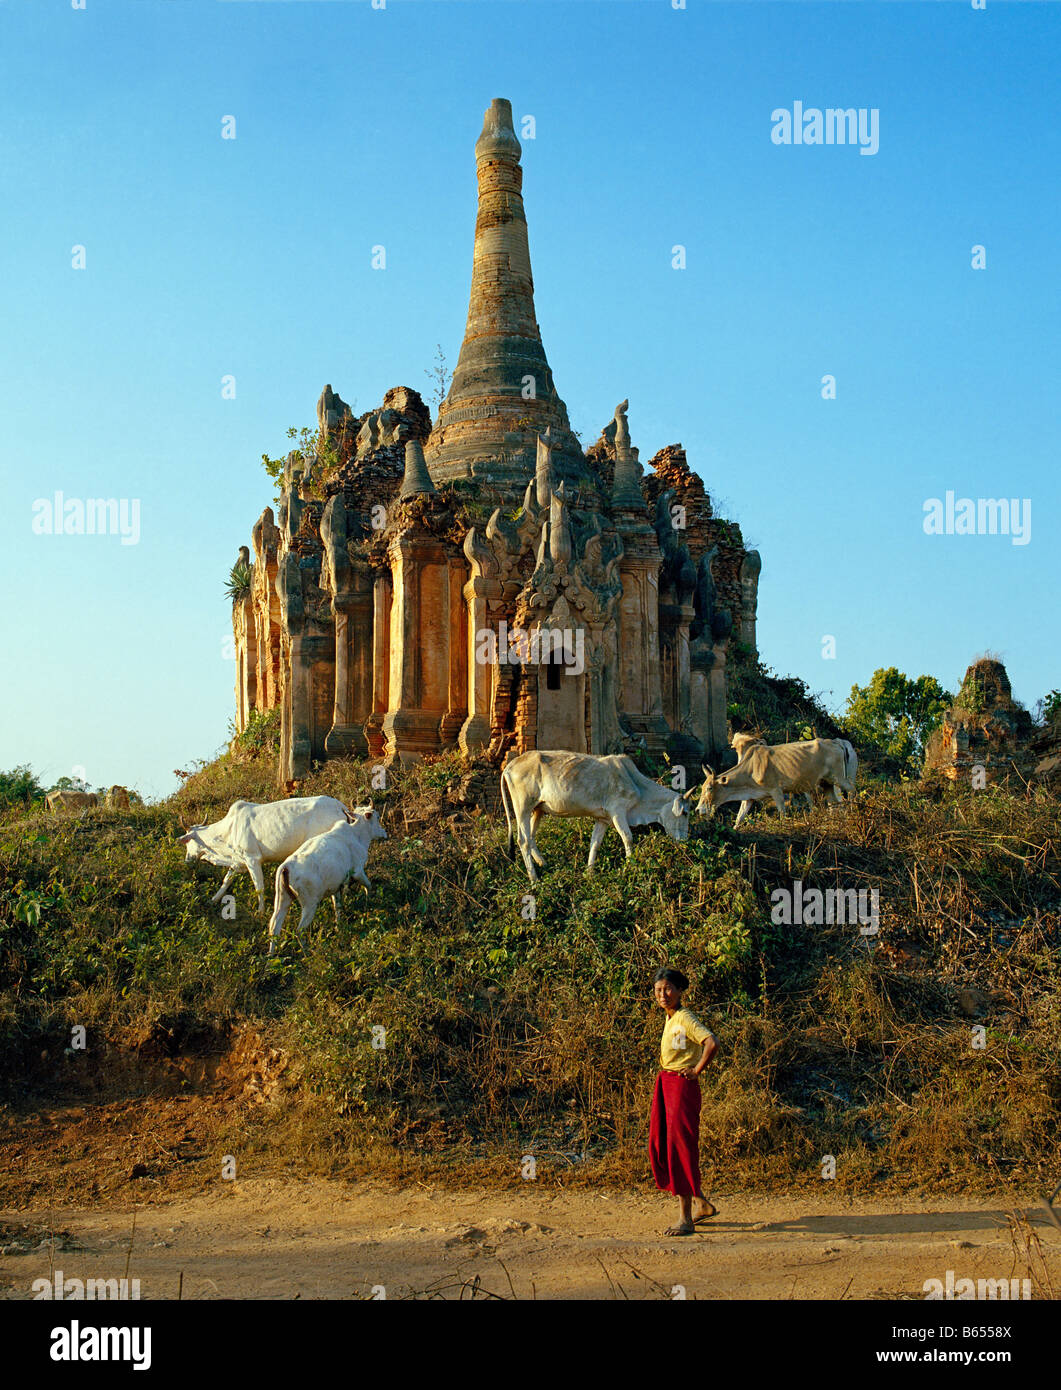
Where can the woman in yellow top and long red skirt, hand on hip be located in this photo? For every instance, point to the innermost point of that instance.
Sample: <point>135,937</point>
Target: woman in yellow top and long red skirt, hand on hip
<point>674,1139</point>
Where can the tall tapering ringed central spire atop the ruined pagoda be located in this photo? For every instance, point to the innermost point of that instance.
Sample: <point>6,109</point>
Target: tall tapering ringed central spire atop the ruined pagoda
<point>503,395</point>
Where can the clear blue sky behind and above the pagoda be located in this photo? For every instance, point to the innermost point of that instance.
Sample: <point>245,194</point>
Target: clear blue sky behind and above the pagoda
<point>355,127</point>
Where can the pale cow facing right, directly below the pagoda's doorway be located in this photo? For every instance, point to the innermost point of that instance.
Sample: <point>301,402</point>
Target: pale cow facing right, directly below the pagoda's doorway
<point>610,790</point>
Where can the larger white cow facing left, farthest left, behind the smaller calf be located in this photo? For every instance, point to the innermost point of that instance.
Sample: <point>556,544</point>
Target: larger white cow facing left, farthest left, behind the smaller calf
<point>251,835</point>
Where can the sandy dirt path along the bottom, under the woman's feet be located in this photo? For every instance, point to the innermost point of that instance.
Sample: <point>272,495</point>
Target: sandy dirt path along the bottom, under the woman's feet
<point>319,1239</point>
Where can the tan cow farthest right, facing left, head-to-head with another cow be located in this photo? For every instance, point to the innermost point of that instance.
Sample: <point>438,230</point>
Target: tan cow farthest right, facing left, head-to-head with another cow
<point>775,771</point>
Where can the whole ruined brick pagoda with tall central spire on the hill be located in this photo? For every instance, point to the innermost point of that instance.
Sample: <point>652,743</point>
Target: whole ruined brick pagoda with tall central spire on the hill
<point>404,546</point>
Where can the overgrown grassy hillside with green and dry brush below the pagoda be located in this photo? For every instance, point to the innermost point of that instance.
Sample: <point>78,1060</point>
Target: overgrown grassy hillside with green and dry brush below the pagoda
<point>511,1036</point>
